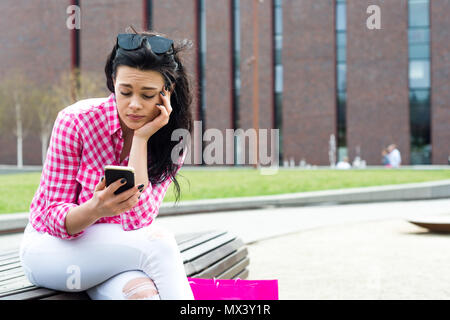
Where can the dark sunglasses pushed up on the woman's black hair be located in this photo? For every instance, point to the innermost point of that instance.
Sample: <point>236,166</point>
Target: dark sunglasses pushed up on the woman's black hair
<point>158,44</point>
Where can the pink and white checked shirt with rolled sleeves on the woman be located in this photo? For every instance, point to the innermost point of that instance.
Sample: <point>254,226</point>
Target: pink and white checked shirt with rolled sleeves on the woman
<point>86,136</point>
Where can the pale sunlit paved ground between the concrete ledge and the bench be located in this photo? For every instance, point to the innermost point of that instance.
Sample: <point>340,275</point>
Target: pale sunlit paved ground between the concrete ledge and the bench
<point>358,251</point>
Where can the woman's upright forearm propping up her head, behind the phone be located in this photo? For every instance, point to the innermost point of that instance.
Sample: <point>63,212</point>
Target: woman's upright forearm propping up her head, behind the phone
<point>138,160</point>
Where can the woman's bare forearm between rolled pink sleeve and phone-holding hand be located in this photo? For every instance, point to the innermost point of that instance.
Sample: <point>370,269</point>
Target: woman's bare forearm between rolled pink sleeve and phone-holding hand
<point>80,217</point>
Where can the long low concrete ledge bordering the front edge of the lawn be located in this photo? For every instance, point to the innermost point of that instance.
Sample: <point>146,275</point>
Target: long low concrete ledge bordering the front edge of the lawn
<point>401,192</point>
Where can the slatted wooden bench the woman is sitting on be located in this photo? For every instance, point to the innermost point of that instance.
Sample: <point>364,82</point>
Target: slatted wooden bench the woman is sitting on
<point>214,254</point>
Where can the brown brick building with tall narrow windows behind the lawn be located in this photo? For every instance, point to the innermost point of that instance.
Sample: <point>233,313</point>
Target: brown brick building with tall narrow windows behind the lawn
<point>321,69</point>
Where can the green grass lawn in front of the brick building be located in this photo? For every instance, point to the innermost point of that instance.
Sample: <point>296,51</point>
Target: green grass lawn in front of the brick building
<point>17,190</point>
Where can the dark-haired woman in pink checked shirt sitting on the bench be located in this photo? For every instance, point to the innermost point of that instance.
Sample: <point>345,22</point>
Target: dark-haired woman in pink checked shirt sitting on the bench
<point>81,236</point>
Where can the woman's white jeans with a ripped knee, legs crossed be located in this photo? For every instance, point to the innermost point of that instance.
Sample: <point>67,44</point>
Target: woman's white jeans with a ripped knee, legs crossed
<point>104,259</point>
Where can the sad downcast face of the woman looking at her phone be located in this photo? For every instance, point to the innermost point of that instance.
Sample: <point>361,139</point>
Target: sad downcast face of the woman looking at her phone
<point>137,93</point>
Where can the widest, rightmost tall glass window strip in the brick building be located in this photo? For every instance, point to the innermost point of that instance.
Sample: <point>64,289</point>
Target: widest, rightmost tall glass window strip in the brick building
<point>419,80</point>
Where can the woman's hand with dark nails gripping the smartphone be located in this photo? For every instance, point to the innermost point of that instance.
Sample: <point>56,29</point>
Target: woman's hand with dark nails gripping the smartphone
<point>108,204</point>
